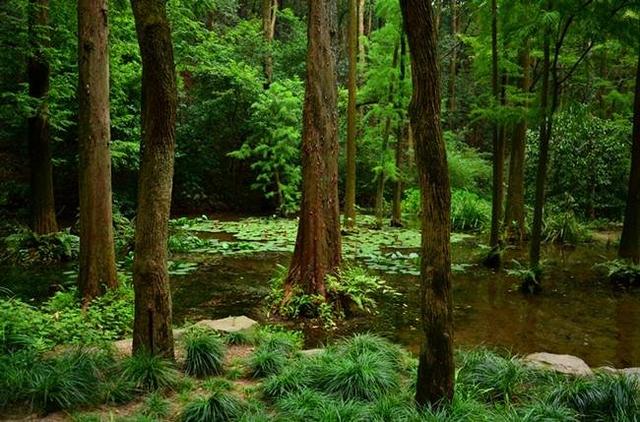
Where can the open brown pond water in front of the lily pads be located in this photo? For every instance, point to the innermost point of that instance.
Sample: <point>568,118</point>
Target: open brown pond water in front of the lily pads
<point>578,313</point>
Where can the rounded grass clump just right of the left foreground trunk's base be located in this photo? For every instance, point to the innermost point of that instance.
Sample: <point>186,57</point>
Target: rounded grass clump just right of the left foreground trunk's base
<point>205,353</point>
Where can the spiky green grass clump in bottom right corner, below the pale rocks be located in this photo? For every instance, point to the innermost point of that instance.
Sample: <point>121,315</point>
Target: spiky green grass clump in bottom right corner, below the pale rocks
<point>603,397</point>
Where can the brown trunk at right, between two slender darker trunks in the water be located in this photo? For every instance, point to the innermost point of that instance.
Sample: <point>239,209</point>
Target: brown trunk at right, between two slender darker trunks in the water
<point>514,213</point>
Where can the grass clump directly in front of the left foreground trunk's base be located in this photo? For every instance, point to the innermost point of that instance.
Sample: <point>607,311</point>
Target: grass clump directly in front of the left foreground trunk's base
<point>150,372</point>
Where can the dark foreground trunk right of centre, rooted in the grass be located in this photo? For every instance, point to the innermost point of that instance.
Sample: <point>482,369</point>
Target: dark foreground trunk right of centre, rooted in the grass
<point>436,368</point>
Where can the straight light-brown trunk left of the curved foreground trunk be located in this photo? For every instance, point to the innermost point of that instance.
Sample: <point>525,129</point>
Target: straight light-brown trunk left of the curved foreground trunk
<point>97,254</point>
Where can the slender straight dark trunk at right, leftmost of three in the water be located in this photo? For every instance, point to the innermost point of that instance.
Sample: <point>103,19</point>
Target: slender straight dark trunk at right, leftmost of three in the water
<point>498,151</point>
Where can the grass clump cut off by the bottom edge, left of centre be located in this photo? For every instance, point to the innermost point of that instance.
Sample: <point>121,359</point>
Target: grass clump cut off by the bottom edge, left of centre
<point>220,406</point>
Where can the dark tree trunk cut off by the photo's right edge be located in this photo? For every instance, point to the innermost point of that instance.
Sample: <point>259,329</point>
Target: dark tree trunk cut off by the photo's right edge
<point>630,240</point>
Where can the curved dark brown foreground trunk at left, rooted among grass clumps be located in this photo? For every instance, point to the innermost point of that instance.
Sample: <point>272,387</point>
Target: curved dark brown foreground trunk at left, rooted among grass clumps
<point>152,330</point>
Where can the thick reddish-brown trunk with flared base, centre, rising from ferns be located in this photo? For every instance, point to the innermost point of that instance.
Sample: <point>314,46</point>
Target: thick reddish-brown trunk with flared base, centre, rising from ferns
<point>318,245</point>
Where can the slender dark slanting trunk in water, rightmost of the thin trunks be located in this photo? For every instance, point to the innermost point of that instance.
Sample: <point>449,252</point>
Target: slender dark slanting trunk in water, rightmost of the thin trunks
<point>543,159</point>
